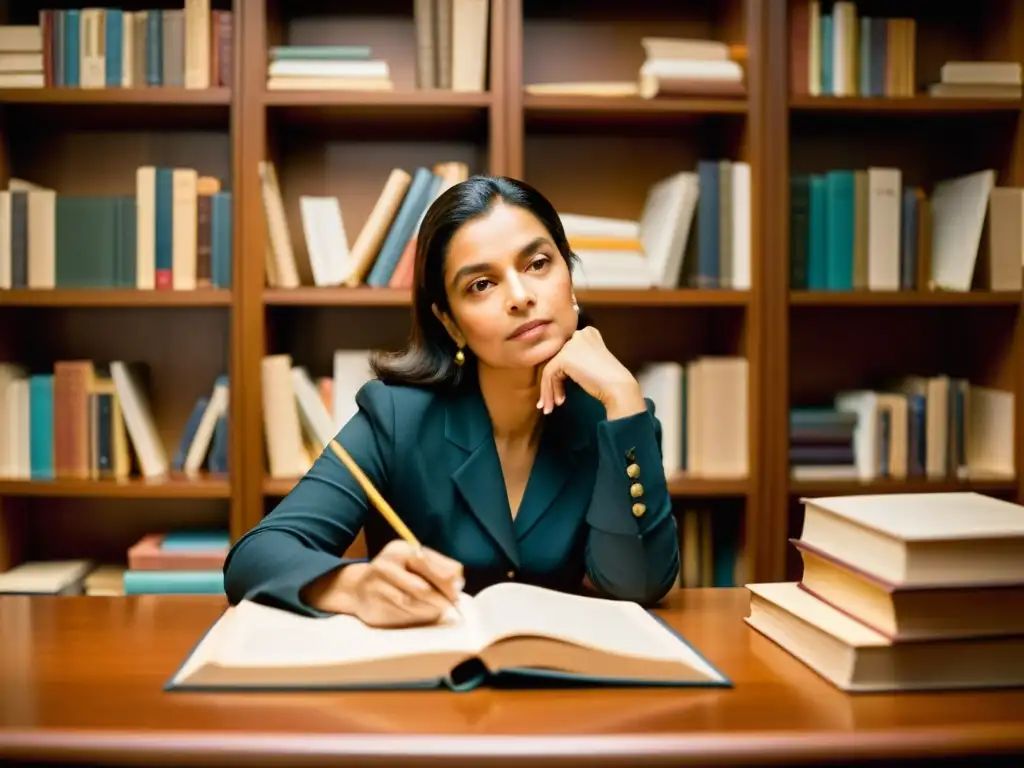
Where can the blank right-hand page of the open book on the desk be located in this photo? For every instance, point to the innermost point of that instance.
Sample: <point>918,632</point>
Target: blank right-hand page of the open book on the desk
<point>614,627</point>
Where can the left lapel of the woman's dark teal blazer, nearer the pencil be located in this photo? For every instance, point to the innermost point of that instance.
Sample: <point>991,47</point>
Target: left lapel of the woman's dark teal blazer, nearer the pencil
<point>480,478</point>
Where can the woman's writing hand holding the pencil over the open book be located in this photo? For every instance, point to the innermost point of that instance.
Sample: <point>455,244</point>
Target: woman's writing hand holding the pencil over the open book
<point>399,588</point>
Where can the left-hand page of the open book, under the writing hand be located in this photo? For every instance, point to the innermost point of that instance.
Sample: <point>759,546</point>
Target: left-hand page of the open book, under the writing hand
<point>261,636</point>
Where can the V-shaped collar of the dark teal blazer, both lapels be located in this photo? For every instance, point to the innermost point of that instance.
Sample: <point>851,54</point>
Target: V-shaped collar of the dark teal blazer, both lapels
<point>568,432</point>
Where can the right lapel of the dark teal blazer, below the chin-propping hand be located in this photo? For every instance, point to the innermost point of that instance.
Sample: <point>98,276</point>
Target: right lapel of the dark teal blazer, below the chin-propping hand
<point>558,461</point>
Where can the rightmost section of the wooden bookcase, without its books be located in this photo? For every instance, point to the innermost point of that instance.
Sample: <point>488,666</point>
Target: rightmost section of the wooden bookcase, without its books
<point>823,343</point>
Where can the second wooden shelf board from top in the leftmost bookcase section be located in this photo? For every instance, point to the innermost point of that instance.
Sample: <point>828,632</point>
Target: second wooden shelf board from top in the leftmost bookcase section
<point>102,297</point>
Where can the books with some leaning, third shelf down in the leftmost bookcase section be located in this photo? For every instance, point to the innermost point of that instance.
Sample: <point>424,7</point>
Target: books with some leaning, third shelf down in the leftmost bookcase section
<point>94,421</point>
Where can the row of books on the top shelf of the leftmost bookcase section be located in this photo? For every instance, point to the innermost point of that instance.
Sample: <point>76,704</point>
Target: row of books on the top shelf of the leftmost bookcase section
<point>188,48</point>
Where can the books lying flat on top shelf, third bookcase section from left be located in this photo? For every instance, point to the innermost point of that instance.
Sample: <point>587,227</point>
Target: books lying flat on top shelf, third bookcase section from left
<point>672,68</point>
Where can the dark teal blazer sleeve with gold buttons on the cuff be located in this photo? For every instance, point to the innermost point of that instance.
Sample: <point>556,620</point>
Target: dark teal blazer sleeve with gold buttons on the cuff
<point>632,558</point>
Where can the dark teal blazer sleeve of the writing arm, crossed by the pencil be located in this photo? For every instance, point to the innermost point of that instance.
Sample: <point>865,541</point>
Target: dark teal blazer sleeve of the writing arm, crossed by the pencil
<point>305,537</point>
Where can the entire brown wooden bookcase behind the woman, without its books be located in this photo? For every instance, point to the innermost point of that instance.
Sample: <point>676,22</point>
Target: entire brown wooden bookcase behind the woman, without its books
<point>588,154</point>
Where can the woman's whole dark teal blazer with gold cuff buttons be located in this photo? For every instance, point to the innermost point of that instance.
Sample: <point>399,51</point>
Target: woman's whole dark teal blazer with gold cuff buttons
<point>434,458</point>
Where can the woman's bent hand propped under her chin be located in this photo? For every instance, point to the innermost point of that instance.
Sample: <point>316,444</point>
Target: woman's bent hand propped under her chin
<point>587,361</point>
